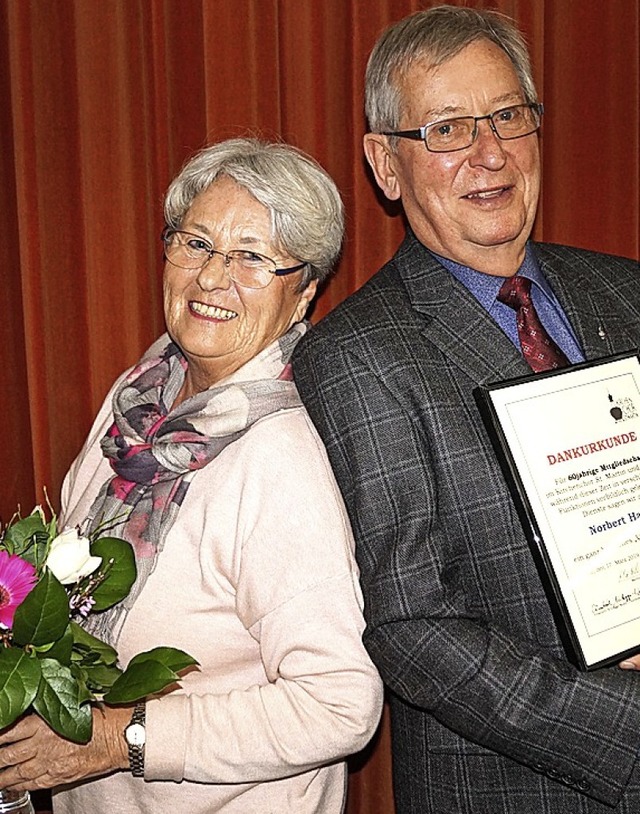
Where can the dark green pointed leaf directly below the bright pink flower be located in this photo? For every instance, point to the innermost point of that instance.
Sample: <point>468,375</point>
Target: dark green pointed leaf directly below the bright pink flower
<point>42,617</point>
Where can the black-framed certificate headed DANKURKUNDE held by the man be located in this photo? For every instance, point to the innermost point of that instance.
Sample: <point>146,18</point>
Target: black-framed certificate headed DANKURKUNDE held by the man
<point>569,444</point>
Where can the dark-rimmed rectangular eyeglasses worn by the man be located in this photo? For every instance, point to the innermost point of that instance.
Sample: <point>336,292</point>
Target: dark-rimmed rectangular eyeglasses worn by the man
<point>449,135</point>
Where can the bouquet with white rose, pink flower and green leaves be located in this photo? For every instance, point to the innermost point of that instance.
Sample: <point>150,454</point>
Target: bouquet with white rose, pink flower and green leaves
<point>50,665</point>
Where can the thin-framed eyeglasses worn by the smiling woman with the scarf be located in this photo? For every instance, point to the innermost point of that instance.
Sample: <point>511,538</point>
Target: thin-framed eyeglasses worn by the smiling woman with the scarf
<point>247,268</point>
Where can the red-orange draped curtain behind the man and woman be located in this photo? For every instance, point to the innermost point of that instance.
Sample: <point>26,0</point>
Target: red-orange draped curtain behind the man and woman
<point>103,100</point>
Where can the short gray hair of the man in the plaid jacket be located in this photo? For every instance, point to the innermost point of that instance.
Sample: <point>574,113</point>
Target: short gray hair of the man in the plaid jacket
<point>438,34</point>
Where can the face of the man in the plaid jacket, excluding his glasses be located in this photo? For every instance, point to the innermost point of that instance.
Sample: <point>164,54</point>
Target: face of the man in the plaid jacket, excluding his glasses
<point>475,206</point>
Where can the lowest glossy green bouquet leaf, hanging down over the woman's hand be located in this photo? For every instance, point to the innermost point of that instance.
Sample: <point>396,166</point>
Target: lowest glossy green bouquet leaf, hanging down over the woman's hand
<point>62,703</point>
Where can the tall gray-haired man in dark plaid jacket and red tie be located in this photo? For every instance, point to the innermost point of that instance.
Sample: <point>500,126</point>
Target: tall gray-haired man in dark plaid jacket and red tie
<point>488,715</point>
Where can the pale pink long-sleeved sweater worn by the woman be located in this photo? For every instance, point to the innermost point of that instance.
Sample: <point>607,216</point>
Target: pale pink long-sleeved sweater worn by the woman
<point>258,582</point>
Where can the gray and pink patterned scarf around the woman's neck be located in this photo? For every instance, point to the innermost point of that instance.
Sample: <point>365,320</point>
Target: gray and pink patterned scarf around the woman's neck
<point>155,451</point>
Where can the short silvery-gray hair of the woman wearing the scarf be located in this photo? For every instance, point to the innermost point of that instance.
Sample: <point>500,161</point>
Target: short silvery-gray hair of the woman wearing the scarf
<point>307,215</point>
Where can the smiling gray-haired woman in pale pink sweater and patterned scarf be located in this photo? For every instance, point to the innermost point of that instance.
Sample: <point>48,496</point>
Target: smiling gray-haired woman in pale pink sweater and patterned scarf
<point>205,460</point>
